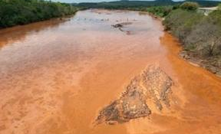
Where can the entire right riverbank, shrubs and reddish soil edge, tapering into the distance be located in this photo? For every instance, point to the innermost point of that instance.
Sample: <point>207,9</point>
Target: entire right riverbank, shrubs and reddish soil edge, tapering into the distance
<point>199,33</point>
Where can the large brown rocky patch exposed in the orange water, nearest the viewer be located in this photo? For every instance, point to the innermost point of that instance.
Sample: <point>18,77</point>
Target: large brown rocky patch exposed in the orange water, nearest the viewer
<point>152,87</point>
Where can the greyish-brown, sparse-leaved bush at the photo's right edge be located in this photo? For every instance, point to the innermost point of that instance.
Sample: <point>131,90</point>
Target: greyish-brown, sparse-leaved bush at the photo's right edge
<point>205,39</point>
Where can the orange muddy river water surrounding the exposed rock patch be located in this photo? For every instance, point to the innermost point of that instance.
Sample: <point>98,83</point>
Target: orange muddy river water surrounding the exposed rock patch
<point>56,75</point>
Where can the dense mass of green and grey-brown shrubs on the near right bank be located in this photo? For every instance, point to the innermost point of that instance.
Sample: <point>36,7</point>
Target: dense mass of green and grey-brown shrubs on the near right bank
<point>200,34</point>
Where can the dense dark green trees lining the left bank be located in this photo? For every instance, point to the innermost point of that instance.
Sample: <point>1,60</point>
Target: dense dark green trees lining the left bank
<point>20,12</point>
